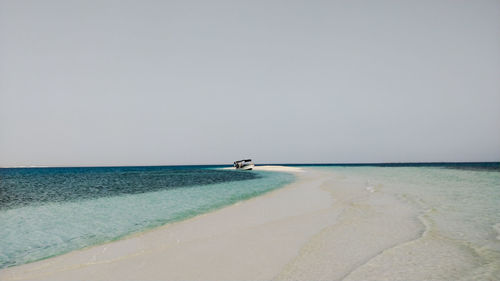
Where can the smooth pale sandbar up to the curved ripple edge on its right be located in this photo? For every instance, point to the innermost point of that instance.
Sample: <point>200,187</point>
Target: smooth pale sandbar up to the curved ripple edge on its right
<point>320,227</point>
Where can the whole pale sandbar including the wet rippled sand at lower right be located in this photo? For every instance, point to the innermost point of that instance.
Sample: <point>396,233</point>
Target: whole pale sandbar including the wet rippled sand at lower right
<point>326,225</point>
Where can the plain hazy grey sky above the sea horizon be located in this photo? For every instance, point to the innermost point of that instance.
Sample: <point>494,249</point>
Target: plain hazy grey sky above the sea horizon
<point>197,82</point>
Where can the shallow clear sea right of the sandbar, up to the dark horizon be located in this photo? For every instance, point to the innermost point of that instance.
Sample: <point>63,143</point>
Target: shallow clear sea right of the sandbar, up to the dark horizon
<point>457,206</point>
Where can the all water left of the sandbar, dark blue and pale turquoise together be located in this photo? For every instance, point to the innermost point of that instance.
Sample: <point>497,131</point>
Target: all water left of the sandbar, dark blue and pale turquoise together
<point>50,211</point>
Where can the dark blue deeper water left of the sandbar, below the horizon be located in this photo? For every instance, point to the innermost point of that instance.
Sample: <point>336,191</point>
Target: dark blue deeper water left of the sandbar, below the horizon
<point>29,186</point>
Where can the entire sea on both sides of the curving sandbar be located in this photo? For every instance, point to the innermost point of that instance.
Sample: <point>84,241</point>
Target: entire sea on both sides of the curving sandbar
<point>46,212</point>
